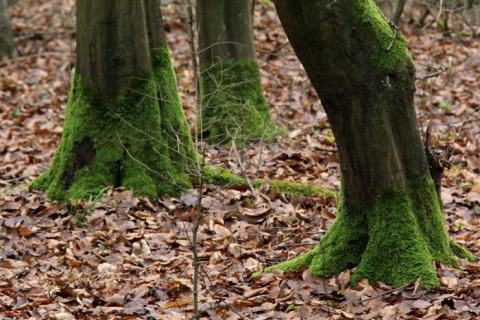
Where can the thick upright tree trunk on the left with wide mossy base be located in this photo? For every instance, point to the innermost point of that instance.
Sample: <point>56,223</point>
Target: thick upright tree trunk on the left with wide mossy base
<point>124,124</point>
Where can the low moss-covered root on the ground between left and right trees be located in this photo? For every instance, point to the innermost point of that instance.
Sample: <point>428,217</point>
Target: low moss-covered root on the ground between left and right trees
<point>223,177</point>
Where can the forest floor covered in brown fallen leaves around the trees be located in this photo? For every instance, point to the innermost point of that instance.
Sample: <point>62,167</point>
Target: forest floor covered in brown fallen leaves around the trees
<point>120,257</point>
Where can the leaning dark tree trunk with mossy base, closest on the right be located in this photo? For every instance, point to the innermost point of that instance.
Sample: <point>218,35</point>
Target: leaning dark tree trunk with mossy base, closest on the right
<point>389,223</point>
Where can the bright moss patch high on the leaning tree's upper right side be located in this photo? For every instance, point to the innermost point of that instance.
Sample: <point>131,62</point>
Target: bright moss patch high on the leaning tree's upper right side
<point>388,61</point>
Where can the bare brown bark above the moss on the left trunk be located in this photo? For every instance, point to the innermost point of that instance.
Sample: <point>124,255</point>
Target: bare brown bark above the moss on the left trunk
<point>112,44</point>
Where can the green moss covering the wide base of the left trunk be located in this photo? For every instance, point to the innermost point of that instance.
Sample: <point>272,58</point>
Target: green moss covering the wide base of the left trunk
<point>137,140</point>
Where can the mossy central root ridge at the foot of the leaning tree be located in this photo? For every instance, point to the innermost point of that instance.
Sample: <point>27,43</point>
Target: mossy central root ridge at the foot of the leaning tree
<point>397,252</point>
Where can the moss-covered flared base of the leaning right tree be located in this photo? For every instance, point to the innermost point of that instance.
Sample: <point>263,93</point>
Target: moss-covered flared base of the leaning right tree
<point>395,240</point>
